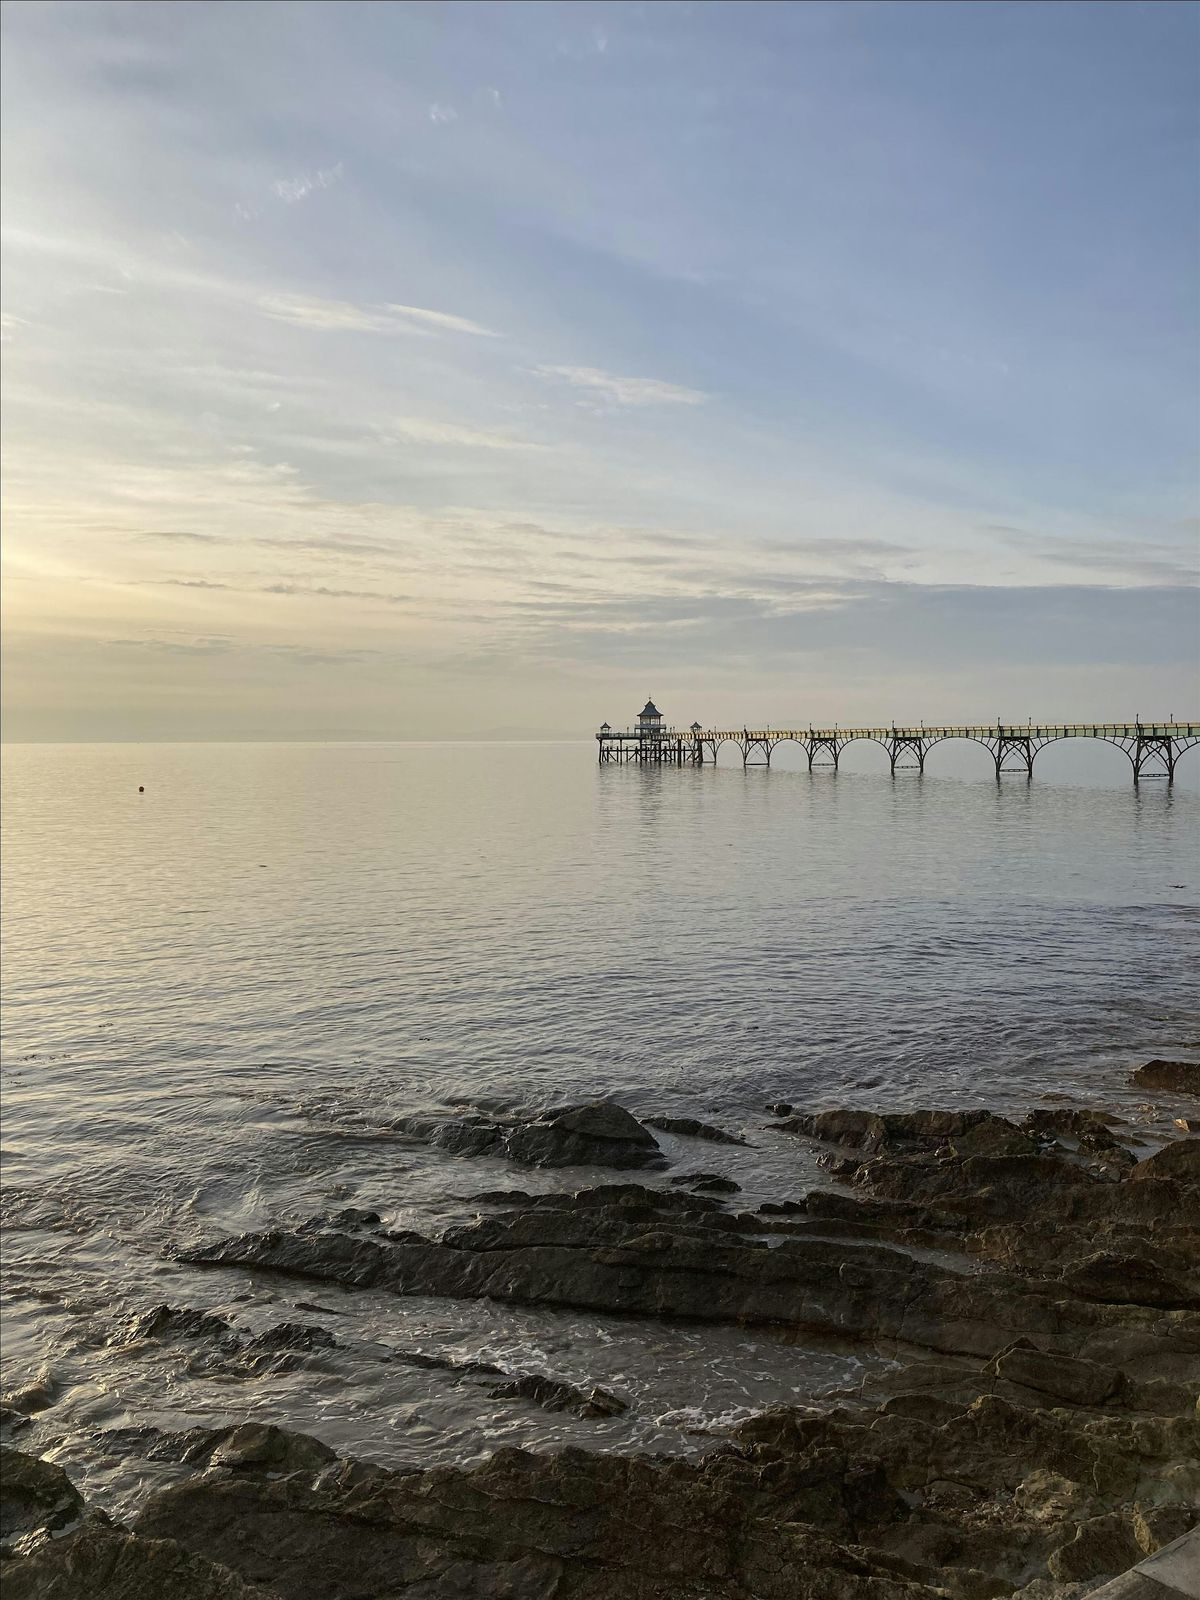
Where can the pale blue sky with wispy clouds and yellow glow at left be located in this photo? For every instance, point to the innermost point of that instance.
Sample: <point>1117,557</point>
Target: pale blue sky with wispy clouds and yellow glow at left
<point>479,370</point>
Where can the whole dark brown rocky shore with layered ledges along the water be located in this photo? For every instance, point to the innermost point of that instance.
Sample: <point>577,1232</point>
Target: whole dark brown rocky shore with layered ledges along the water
<point>1036,1286</point>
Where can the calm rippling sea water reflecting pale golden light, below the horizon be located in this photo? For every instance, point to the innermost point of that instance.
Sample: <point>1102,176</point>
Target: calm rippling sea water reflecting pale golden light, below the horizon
<point>222,994</point>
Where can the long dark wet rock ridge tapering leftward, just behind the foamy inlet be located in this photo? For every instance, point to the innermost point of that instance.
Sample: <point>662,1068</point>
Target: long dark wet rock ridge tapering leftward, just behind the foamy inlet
<point>649,1258</point>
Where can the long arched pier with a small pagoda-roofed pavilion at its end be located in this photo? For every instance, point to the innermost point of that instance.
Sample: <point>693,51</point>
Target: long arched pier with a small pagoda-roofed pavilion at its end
<point>1153,750</point>
